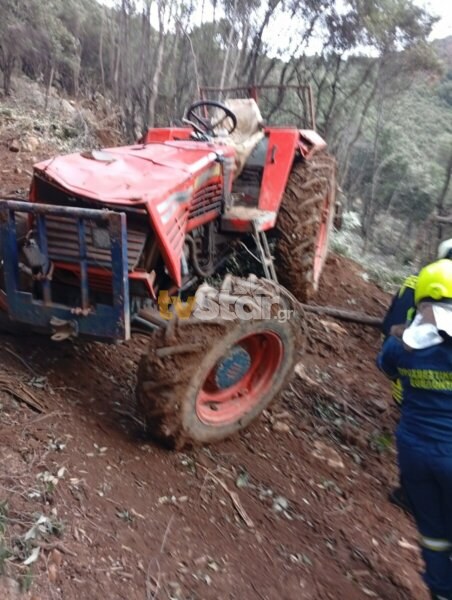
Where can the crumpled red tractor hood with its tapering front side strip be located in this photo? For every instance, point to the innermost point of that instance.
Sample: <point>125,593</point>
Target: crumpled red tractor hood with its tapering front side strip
<point>160,176</point>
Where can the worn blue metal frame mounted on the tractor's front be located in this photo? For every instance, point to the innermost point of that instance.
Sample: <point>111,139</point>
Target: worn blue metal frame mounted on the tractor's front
<point>106,322</point>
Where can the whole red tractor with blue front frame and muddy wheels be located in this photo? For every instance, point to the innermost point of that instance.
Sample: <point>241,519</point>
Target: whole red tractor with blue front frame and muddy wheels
<point>115,241</point>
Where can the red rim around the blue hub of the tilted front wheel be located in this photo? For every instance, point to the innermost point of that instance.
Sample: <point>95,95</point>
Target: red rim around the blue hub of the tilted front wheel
<point>218,406</point>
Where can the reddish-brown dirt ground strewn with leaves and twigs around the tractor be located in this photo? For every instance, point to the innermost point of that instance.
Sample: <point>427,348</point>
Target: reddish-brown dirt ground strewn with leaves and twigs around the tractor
<point>294,508</point>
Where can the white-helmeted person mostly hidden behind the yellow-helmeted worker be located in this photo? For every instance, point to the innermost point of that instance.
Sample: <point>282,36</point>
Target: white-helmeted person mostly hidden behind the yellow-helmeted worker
<point>399,314</point>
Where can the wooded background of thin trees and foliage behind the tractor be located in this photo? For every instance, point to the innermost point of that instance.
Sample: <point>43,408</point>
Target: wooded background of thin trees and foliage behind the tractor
<point>383,93</point>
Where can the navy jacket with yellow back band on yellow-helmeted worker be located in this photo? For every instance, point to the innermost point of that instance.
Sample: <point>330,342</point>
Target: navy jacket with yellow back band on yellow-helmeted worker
<point>426,377</point>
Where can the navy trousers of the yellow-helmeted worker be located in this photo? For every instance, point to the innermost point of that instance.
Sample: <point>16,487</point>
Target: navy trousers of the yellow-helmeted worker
<point>426,472</point>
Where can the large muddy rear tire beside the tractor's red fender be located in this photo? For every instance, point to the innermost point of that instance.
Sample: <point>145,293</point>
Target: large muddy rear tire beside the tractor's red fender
<point>304,225</point>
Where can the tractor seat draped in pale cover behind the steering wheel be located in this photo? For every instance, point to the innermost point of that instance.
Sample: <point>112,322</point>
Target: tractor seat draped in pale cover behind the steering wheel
<point>248,132</point>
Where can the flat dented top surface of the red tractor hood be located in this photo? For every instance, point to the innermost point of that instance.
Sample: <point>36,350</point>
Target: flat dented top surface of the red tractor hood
<point>130,174</point>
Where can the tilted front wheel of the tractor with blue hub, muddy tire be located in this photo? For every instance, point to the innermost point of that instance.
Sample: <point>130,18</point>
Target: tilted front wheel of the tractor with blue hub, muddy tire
<point>202,381</point>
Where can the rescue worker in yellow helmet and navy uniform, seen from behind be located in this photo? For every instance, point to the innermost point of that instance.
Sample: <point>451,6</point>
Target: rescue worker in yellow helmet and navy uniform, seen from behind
<point>422,359</point>
